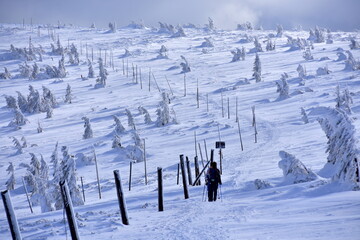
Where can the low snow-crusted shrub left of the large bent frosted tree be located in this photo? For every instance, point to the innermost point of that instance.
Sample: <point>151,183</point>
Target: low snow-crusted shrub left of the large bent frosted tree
<point>294,170</point>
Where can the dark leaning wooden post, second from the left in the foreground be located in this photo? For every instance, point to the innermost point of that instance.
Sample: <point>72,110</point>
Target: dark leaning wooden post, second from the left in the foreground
<point>69,210</point>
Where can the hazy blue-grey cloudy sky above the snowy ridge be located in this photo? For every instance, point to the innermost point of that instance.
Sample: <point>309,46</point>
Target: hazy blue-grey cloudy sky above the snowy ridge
<point>333,14</point>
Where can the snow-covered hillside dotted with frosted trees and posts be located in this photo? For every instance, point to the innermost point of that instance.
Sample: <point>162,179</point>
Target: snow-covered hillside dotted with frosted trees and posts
<point>320,209</point>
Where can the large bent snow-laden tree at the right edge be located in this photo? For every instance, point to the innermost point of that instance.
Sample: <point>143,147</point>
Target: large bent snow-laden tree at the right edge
<point>342,147</point>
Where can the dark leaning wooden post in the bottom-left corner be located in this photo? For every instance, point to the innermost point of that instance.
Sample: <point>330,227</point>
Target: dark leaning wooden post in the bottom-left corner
<point>10,214</point>
